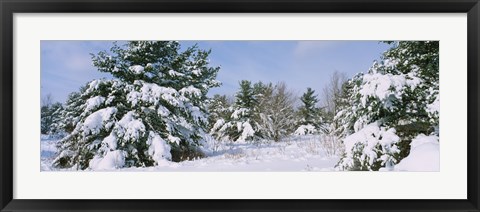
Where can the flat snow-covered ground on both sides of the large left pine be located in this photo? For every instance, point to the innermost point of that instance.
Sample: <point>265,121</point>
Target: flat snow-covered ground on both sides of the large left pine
<point>301,153</point>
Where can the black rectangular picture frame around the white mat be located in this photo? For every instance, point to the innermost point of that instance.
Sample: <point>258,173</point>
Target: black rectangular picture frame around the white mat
<point>9,7</point>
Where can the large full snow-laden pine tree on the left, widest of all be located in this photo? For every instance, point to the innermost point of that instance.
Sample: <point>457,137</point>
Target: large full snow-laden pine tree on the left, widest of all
<point>153,110</point>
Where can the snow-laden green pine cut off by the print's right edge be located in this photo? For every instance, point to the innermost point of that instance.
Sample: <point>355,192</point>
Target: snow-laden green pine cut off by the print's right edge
<point>393,104</point>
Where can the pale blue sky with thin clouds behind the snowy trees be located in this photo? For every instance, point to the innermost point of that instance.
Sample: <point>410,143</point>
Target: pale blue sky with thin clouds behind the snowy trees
<point>66,65</point>
